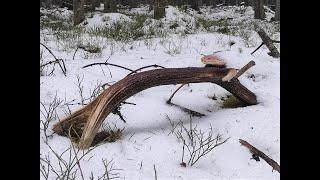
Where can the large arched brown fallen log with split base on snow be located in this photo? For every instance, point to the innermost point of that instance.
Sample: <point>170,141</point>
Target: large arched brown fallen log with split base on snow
<point>90,118</point>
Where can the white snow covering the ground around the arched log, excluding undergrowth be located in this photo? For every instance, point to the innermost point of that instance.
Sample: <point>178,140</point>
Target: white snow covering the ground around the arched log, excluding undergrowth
<point>146,141</point>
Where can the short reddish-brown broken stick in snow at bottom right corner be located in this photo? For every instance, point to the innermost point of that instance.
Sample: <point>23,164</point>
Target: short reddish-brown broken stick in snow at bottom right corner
<point>257,153</point>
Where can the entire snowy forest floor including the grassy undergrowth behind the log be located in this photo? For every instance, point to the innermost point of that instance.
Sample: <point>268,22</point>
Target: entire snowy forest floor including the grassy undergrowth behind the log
<point>151,139</point>
